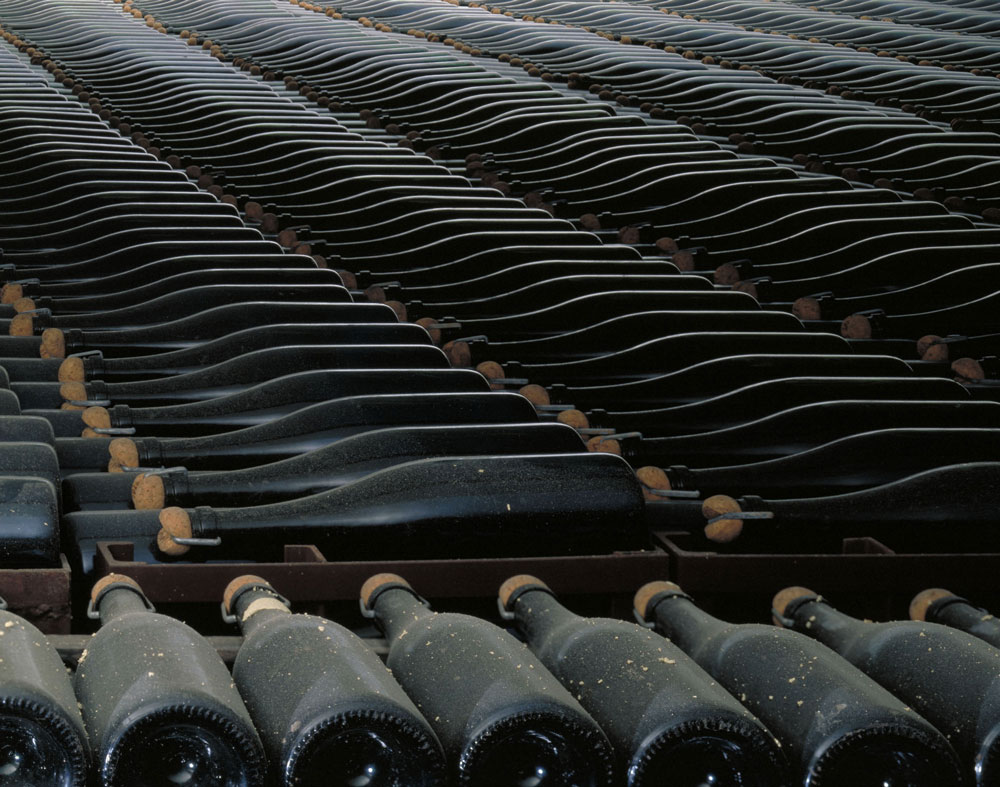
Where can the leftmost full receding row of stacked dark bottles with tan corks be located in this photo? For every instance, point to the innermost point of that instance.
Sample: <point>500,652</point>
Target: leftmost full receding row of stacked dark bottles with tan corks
<point>240,355</point>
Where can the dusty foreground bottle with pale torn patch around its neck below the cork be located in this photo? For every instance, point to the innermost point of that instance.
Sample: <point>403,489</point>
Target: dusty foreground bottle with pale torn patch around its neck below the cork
<point>327,709</point>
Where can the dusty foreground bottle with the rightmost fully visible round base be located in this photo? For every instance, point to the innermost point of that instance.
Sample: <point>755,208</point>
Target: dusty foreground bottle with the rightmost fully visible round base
<point>838,726</point>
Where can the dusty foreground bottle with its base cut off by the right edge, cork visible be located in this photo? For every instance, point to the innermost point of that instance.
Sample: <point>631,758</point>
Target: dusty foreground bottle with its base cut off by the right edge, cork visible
<point>948,676</point>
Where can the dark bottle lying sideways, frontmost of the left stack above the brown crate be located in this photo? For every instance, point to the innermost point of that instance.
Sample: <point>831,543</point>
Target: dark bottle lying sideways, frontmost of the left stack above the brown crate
<point>506,505</point>
